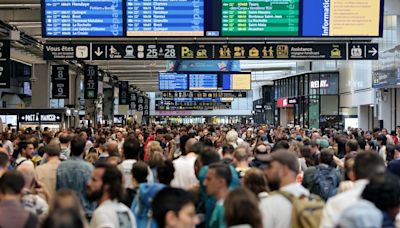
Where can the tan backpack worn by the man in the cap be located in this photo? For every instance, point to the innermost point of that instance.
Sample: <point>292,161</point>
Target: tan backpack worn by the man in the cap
<point>306,211</point>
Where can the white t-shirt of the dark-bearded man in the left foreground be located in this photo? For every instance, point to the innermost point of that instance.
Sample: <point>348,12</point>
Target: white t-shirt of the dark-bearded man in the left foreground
<point>112,214</point>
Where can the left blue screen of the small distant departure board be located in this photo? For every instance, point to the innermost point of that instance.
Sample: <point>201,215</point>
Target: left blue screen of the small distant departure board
<point>172,81</point>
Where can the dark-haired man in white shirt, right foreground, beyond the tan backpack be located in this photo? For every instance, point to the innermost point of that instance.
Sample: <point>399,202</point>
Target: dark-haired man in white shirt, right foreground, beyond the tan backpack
<point>366,165</point>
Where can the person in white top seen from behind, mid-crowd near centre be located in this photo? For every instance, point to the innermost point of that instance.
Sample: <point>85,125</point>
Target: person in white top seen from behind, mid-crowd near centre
<point>185,176</point>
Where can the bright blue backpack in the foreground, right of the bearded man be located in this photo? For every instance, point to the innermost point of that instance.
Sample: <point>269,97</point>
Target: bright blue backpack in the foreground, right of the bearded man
<point>141,206</point>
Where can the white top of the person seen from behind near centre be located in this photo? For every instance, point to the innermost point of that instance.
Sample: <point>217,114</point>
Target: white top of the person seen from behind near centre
<point>184,176</point>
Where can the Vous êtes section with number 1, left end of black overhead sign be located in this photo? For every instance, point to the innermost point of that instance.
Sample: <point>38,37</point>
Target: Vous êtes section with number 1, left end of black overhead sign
<point>66,52</point>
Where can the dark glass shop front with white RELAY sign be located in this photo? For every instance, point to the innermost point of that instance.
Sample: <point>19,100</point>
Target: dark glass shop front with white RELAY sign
<point>310,100</point>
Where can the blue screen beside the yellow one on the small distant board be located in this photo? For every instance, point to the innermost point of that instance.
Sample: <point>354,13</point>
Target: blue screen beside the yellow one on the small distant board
<point>203,81</point>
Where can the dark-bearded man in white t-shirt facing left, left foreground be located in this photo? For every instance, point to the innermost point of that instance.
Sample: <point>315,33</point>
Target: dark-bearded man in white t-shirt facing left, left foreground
<point>105,187</point>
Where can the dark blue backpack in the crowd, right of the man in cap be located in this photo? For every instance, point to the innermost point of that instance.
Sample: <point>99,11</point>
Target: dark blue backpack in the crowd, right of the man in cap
<point>325,182</point>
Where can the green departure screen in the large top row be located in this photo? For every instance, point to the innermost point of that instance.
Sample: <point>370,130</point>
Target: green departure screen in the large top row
<point>260,18</point>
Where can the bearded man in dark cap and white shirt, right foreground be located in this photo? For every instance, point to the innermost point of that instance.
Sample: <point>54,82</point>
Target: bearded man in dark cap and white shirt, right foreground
<point>283,167</point>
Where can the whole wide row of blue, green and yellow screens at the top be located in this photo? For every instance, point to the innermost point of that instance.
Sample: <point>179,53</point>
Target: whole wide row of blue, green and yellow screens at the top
<point>212,18</point>
